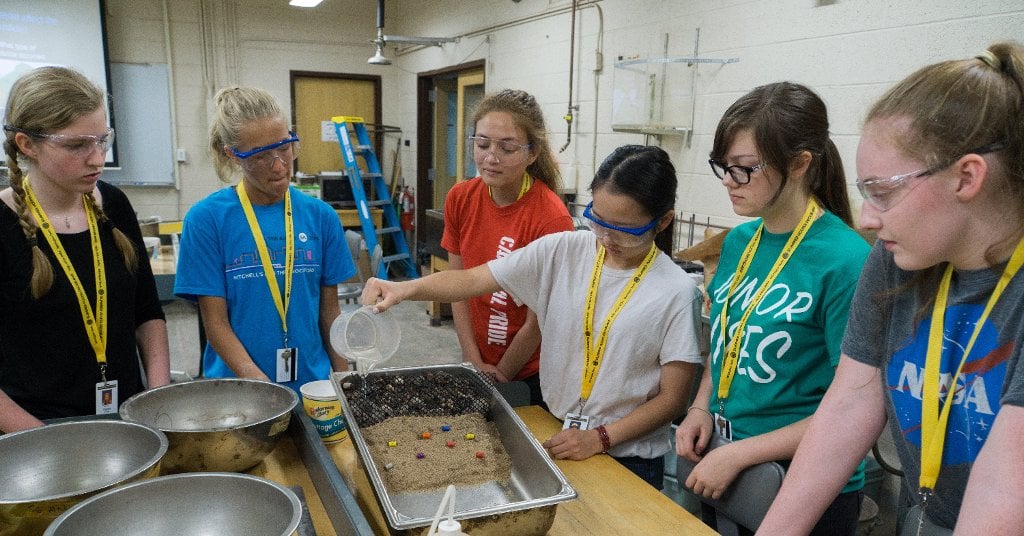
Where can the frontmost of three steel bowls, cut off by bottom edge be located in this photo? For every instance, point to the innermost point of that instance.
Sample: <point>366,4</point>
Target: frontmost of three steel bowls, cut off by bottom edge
<point>222,504</point>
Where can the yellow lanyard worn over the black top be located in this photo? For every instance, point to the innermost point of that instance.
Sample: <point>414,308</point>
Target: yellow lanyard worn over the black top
<point>96,323</point>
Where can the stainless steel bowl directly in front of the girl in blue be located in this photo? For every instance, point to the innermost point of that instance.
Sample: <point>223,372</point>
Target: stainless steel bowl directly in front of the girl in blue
<point>227,425</point>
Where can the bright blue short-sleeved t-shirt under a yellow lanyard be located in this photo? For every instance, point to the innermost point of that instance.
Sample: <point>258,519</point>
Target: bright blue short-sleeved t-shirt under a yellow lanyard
<point>219,258</point>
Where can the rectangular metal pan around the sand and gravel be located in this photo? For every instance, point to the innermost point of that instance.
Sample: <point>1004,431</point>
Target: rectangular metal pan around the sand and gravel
<point>526,506</point>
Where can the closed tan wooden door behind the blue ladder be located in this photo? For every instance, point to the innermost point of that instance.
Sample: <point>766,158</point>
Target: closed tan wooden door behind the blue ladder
<point>319,97</point>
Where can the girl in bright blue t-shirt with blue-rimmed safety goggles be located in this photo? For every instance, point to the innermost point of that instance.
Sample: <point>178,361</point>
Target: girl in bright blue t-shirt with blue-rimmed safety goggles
<point>262,259</point>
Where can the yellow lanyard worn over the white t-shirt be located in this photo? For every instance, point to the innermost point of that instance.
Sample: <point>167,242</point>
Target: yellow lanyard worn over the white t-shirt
<point>593,356</point>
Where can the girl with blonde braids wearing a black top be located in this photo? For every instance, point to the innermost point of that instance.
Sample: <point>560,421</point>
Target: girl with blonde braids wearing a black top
<point>72,321</point>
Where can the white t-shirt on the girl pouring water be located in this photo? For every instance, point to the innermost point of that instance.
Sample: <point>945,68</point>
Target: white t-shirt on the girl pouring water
<point>660,324</point>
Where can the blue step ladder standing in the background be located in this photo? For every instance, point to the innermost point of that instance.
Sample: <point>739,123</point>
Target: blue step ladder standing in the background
<point>392,226</point>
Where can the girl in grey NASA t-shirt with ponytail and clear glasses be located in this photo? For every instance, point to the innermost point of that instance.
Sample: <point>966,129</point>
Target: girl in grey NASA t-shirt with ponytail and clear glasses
<point>933,344</point>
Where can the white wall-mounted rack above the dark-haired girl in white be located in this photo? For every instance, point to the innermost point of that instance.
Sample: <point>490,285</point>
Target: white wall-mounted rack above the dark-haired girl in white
<point>655,96</point>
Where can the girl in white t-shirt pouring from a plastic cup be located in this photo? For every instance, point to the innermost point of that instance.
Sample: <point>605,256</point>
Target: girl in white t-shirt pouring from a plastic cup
<point>619,383</point>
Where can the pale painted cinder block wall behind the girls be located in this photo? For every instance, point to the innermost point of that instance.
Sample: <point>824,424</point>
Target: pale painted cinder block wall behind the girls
<point>849,51</point>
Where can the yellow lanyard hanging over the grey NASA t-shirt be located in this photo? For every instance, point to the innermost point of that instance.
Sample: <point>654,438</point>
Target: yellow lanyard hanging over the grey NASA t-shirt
<point>933,425</point>
